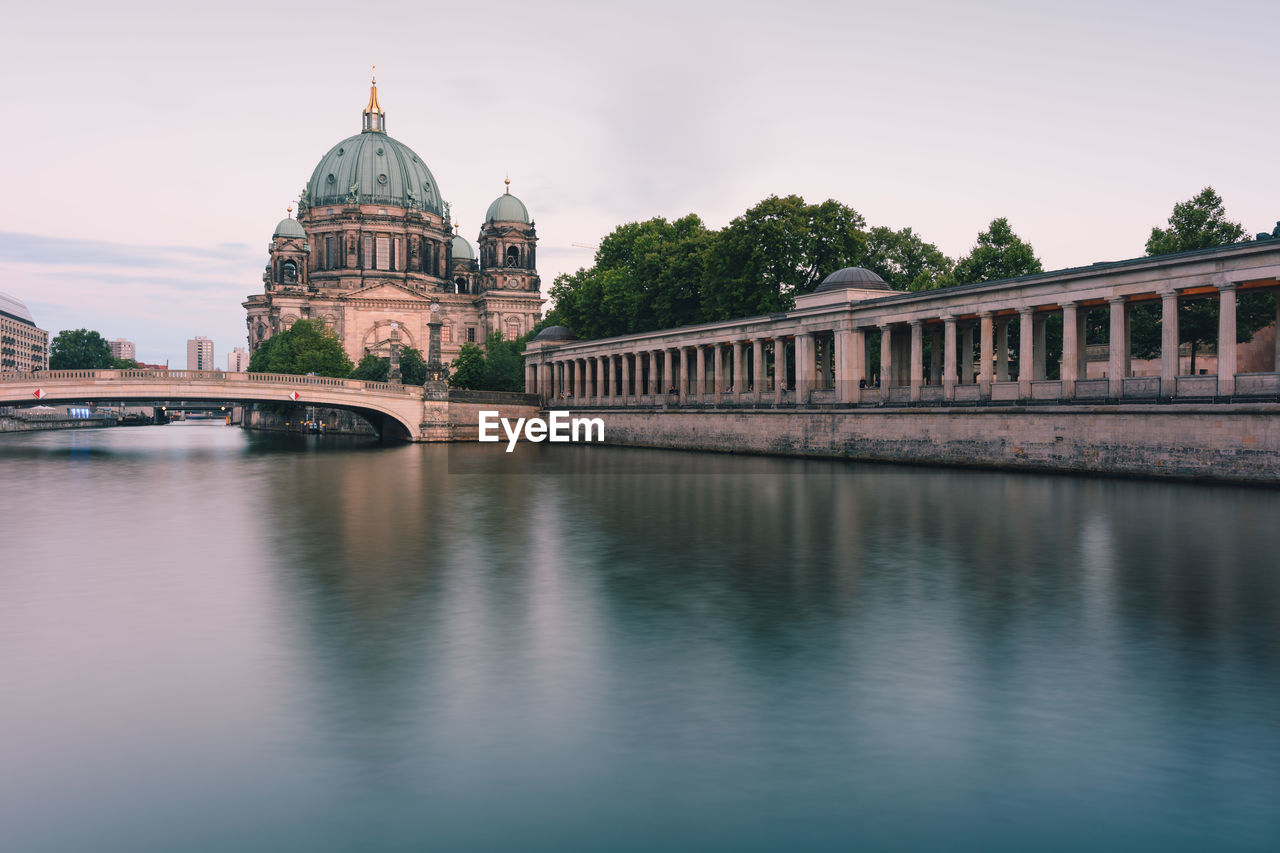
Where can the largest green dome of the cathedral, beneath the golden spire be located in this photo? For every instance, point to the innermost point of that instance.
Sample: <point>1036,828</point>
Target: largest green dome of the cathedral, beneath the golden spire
<point>381,170</point>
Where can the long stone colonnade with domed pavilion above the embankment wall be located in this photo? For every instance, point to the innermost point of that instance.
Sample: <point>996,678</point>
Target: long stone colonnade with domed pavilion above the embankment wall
<point>949,346</point>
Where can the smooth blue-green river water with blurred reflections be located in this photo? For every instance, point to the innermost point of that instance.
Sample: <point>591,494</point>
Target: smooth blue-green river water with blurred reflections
<point>213,641</point>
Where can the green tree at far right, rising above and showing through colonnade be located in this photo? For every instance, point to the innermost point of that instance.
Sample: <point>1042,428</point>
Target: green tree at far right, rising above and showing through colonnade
<point>1197,223</point>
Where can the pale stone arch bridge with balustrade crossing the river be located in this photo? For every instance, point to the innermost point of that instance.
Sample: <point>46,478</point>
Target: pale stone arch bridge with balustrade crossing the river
<point>396,412</point>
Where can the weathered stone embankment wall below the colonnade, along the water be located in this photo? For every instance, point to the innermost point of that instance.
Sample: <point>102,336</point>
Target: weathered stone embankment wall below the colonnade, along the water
<point>1220,443</point>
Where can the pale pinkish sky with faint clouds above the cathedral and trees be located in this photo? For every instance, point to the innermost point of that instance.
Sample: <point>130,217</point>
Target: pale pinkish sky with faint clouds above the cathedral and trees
<point>152,148</point>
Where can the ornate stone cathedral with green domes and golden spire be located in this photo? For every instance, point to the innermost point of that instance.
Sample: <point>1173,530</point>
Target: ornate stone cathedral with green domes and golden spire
<point>373,247</point>
